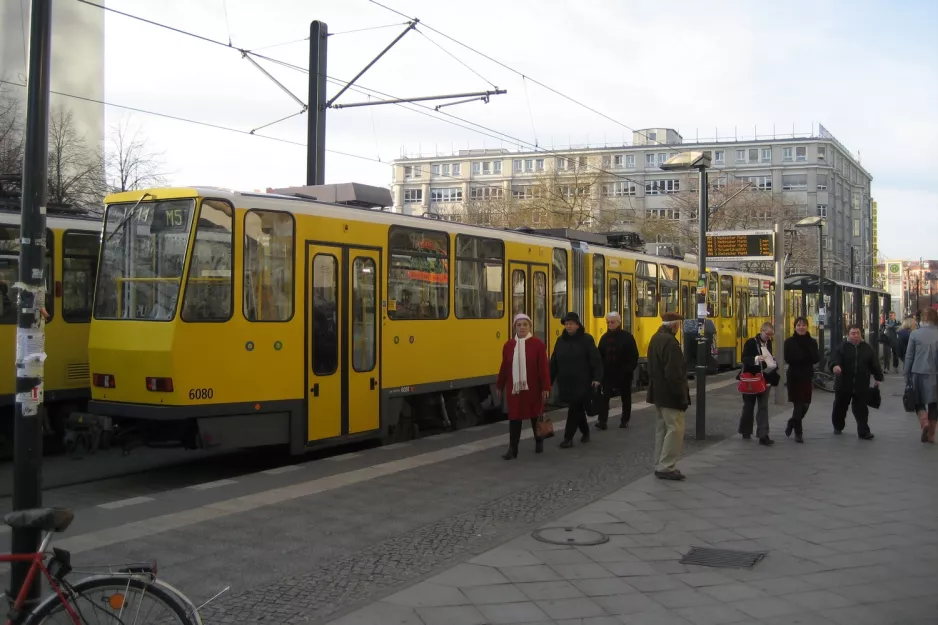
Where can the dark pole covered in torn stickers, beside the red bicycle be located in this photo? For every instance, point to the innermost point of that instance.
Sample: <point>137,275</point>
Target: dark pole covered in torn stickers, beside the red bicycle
<point>31,294</point>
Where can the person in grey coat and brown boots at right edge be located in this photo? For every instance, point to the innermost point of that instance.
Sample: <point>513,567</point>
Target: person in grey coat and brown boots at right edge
<point>920,367</point>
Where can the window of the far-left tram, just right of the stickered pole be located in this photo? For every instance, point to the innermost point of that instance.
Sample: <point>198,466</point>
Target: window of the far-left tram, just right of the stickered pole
<point>79,266</point>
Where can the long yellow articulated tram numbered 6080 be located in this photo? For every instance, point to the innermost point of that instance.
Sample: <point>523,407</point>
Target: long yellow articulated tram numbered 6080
<point>237,319</point>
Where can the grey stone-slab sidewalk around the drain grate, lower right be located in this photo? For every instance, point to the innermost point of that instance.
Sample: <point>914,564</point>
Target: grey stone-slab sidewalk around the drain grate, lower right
<point>849,528</point>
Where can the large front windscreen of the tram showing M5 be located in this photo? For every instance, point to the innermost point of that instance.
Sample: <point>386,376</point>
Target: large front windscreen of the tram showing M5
<point>143,253</point>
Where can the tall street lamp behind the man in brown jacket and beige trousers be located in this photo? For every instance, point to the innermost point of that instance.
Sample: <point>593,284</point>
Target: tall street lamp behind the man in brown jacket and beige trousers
<point>700,161</point>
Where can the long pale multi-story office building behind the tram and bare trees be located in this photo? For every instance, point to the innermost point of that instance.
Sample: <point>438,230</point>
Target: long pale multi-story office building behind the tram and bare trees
<point>810,175</point>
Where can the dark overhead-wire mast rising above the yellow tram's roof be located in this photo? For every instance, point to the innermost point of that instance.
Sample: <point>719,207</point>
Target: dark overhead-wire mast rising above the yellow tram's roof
<point>316,124</point>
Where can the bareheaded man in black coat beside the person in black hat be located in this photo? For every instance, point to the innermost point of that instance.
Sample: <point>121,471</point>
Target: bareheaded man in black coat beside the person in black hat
<point>620,357</point>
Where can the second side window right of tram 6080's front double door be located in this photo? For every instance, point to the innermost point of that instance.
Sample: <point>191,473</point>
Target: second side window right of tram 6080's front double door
<point>480,272</point>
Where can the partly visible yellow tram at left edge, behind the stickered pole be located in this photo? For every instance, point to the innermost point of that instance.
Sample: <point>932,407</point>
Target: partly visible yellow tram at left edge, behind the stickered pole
<point>71,258</point>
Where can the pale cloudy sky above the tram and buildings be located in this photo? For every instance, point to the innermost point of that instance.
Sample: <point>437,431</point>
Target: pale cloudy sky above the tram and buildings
<point>865,70</point>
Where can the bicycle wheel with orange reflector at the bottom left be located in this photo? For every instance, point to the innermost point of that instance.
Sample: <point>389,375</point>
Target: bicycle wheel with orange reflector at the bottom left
<point>113,600</point>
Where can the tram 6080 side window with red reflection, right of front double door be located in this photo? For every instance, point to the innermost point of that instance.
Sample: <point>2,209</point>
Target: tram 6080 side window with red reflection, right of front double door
<point>418,274</point>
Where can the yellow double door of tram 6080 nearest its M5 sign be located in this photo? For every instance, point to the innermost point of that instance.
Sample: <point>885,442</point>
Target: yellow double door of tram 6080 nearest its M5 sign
<point>343,295</point>
